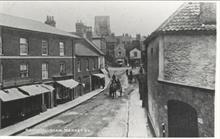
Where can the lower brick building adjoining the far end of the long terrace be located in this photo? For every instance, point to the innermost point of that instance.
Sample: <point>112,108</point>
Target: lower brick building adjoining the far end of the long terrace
<point>88,65</point>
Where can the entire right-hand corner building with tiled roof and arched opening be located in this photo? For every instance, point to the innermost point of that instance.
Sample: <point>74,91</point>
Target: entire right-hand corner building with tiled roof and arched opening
<point>180,79</point>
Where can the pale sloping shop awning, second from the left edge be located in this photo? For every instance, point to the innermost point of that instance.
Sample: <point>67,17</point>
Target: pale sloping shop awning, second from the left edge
<point>33,90</point>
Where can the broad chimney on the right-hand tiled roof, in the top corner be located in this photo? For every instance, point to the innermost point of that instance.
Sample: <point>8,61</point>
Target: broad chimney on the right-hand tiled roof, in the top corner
<point>207,13</point>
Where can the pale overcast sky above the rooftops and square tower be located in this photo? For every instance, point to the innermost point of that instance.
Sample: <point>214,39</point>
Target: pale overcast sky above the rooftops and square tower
<point>125,17</point>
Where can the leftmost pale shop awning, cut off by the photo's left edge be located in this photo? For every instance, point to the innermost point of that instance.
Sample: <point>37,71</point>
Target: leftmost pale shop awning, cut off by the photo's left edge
<point>11,94</point>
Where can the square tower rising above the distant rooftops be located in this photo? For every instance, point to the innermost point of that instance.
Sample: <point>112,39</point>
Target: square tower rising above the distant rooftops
<point>102,25</point>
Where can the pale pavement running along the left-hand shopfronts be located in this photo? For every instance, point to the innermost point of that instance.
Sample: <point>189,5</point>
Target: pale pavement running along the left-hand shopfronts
<point>50,113</point>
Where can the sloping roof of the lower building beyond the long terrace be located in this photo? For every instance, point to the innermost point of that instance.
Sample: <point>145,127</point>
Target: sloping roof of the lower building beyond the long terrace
<point>82,50</point>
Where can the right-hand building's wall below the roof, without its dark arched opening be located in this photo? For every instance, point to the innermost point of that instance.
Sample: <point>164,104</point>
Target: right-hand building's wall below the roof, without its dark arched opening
<point>200,51</point>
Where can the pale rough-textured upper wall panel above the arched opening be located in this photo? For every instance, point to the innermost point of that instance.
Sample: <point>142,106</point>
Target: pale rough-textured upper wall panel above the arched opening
<point>190,60</point>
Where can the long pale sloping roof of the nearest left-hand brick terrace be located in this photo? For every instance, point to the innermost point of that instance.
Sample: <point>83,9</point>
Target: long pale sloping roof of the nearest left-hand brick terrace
<point>31,25</point>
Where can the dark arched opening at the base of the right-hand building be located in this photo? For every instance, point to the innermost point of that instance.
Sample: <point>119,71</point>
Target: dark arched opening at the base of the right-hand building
<point>182,120</point>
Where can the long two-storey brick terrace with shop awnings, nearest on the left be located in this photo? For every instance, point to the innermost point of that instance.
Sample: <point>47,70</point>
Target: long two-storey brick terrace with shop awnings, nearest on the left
<point>37,67</point>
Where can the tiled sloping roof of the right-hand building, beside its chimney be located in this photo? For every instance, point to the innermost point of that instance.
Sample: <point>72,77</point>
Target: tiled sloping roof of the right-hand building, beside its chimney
<point>185,18</point>
